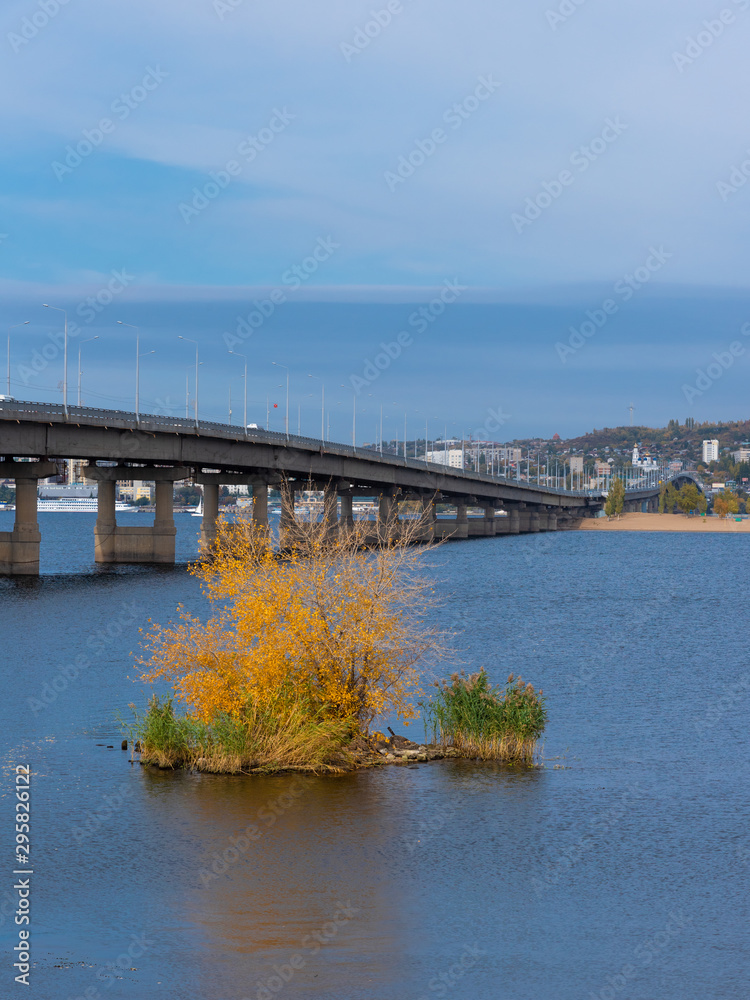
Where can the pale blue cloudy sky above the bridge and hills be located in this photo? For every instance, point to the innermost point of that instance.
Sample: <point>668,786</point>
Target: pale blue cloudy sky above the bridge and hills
<point>535,155</point>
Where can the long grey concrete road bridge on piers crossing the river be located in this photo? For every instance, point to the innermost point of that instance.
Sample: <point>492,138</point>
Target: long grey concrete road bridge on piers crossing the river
<point>117,445</point>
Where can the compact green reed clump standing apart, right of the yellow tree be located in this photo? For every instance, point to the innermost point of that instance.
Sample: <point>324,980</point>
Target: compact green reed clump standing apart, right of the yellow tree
<point>477,720</point>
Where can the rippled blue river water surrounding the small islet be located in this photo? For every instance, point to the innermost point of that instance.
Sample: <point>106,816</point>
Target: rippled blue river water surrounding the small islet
<point>618,869</point>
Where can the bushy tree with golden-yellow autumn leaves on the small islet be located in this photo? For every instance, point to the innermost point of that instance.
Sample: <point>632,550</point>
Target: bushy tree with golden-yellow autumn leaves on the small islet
<point>329,622</point>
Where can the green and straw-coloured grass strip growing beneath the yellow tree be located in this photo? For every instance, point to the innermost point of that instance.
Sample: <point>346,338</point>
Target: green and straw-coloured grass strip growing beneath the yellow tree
<point>291,739</point>
